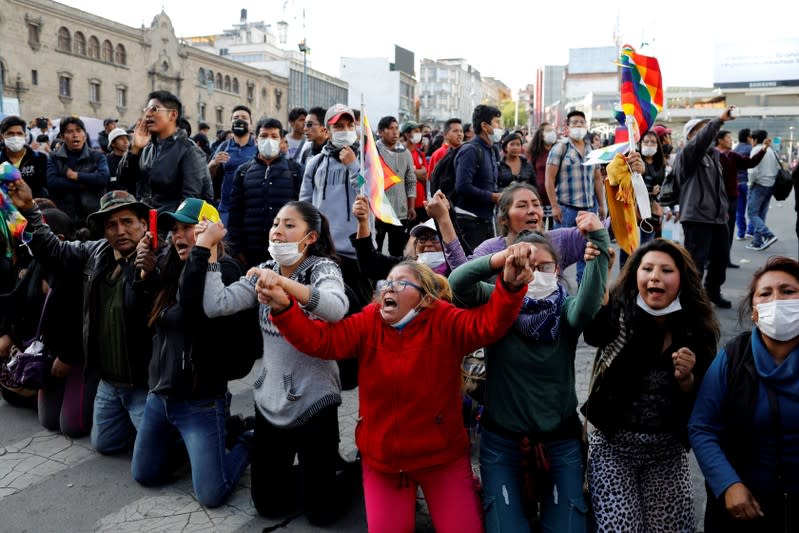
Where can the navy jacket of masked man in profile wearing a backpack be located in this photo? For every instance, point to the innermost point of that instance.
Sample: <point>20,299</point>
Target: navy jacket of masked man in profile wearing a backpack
<point>476,178</point>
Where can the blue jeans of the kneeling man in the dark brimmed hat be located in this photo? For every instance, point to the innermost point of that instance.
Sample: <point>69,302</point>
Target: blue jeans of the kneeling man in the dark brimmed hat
<point>117,416</point>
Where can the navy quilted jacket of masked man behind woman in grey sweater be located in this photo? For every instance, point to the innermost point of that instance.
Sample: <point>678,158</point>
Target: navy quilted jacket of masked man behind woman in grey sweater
<point>257,193</point>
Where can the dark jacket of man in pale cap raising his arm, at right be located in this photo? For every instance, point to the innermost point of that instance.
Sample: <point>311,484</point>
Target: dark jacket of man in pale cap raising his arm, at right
<point>703,197</point>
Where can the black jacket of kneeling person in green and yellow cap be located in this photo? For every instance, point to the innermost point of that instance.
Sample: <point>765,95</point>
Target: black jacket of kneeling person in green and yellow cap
<point>190,349</point>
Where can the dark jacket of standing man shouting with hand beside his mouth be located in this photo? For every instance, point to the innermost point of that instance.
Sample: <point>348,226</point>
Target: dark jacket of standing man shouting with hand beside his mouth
<point>168,171</point>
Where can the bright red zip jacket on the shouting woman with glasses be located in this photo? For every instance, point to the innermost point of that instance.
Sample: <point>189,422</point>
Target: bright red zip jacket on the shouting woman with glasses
<point>409,379</point>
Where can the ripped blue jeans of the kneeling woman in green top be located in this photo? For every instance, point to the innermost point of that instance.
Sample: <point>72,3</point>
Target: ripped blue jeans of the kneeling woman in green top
<point>563,508</point>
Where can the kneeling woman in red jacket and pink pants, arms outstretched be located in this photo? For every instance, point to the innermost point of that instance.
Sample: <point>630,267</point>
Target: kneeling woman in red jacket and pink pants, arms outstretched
<point>410,343</point>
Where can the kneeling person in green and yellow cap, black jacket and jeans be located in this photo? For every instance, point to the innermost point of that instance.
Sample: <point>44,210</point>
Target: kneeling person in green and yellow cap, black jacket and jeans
<point>187,383</point>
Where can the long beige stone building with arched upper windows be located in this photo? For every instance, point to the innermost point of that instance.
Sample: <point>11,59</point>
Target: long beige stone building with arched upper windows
<point>57,60</point>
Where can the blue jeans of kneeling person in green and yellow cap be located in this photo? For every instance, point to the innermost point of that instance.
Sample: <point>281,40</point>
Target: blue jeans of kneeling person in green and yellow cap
<point>201,425</point>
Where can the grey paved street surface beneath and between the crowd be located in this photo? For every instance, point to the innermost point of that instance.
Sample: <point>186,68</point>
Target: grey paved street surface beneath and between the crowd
<point>50,483</point>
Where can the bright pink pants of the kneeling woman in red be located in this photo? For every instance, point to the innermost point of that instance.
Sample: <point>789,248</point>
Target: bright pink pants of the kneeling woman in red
<point>450,491</point>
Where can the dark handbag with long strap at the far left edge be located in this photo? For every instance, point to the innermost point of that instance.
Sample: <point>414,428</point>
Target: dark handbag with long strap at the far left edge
<point>26,371</point>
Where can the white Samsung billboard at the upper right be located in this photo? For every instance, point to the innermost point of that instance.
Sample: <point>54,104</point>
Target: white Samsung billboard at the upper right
<point>769,64</point>
